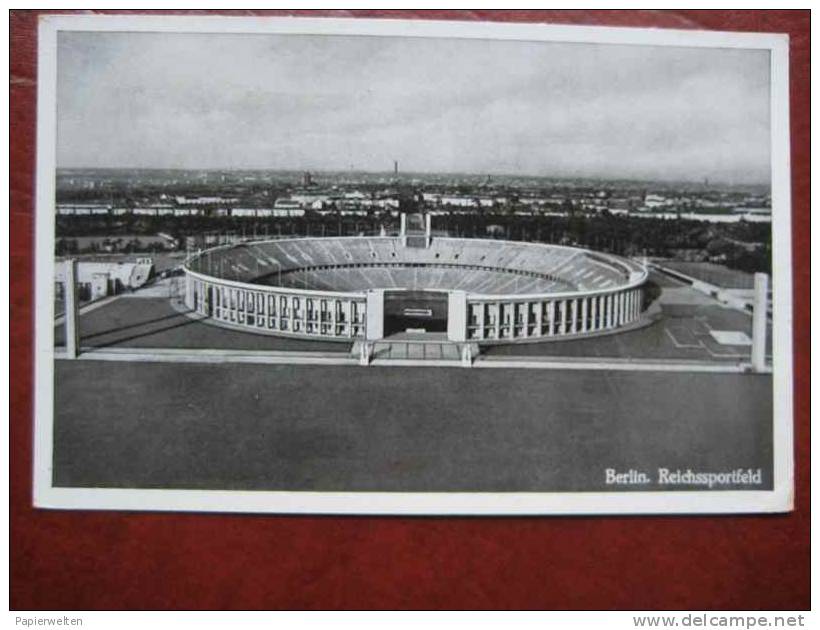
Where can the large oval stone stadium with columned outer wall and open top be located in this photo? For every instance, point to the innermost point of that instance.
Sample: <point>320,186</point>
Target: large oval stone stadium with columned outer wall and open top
<point>374,287</point>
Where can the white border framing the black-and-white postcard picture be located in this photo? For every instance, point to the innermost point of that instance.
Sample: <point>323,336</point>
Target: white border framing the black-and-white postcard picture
<point>779,499</point>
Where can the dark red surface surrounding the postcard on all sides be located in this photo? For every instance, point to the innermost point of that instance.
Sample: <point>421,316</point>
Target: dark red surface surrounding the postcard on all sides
<point>114,560</point>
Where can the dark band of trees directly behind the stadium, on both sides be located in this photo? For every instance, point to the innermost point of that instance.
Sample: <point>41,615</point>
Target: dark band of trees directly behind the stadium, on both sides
<point>741,245</point>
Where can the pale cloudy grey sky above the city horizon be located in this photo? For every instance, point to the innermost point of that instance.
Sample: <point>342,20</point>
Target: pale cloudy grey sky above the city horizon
<point>472,106</point>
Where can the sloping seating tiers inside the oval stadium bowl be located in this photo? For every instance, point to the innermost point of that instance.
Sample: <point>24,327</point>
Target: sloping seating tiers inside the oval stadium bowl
<point>361,263</point>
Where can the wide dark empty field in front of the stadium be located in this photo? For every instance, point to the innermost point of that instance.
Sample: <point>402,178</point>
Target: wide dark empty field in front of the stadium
<point>227,426</point>
